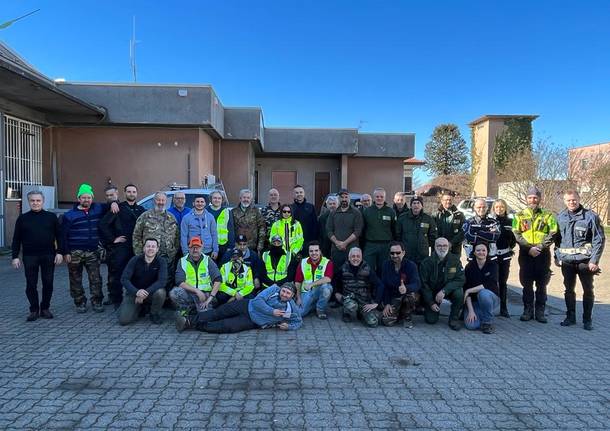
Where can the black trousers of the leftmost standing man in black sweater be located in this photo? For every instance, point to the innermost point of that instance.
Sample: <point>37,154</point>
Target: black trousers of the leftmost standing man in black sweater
<point>46,265</point>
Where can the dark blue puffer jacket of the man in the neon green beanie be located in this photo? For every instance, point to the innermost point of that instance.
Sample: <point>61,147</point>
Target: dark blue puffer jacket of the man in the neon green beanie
<point>79,229</point>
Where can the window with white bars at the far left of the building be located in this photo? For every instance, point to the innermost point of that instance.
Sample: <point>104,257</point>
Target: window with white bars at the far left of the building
<point>23,150</point>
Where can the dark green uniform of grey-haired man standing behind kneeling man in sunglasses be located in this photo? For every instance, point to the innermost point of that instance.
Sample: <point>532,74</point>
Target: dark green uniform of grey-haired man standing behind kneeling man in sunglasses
<point>380,229</point>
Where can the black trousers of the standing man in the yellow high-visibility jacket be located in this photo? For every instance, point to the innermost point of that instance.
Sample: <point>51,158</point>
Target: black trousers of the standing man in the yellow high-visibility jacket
<point>534,270</point>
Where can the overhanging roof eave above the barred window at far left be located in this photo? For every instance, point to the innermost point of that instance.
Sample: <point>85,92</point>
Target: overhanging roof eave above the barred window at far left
<point>20,83</point>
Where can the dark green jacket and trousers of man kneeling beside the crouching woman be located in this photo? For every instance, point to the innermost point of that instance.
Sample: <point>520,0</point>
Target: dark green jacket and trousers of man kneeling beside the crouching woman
<point>446,274</point>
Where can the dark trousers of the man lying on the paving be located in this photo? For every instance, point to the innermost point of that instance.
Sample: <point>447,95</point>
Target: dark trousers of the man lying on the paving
<point>228,318</point>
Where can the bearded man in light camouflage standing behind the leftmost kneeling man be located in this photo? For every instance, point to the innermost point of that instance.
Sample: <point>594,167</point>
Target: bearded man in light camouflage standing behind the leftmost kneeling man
<point>161,225</point>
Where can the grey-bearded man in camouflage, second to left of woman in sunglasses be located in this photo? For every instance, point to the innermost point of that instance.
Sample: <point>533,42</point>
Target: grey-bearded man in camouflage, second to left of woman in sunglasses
<point>249,221</point>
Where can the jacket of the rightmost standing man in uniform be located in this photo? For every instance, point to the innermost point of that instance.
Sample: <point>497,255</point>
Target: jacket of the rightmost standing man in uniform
<point>577,229</point>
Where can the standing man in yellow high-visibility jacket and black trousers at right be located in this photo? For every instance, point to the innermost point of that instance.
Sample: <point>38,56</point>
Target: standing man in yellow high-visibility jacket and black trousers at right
<point>535,229</point>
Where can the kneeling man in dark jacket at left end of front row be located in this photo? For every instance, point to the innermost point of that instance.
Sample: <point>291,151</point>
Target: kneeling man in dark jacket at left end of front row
<point>144,279</point>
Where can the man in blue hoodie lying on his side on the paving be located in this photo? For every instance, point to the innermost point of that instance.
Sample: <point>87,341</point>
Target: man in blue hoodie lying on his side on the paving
<point>273,307</point>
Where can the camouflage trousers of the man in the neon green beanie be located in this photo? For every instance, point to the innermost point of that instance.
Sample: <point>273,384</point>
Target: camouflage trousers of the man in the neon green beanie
<point>90,261</point>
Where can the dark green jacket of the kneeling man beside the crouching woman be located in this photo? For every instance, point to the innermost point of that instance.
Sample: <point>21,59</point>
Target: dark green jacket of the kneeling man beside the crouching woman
<point>435,275</point>
